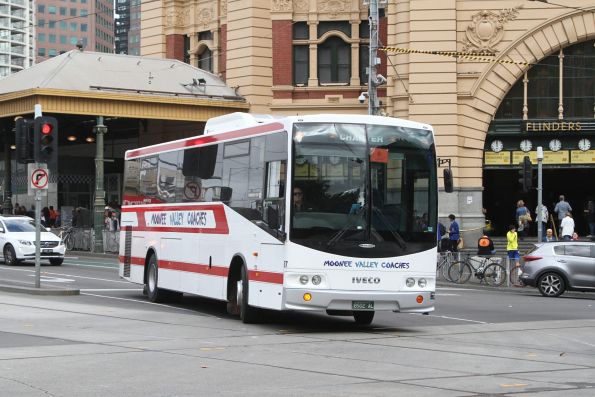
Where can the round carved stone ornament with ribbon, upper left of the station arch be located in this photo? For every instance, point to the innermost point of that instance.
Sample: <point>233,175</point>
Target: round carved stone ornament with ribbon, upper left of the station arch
<point>487,30</point>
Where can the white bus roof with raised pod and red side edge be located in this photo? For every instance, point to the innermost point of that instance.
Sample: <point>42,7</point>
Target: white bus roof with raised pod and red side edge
<point>238,125</point>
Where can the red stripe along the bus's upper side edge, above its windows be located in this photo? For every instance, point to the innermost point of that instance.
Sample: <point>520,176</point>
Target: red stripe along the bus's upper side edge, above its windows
<point>204,139</point>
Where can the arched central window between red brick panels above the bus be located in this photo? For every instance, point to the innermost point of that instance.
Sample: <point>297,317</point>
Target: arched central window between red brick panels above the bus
<point>334,61</point>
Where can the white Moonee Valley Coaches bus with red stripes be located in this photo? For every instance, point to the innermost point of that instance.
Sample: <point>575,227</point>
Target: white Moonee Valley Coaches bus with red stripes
<point>334,213</point>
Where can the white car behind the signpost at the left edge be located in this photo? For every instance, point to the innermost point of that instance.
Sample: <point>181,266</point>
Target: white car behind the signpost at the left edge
<point>17,241</point>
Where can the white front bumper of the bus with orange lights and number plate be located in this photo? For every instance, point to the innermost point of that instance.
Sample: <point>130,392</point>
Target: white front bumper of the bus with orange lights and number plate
<point>331,300</point>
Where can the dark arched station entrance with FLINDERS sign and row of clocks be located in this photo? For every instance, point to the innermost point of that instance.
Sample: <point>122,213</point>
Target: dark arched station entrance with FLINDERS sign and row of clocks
<point>551,106</point>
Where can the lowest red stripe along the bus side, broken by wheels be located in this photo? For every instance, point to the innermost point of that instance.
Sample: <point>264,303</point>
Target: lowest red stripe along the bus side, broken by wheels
<point>253,275</point>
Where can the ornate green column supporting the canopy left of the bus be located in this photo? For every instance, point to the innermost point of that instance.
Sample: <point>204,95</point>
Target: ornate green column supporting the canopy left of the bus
<point>99,206</point>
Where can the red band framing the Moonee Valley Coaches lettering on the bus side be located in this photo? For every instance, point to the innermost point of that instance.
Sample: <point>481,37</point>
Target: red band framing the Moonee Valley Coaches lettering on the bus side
<point>221,226</point>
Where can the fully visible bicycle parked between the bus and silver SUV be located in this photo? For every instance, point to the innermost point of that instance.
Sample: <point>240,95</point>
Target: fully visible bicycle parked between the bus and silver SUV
<point>483,268</point>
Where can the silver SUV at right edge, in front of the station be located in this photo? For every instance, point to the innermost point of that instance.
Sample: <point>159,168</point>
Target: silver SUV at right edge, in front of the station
<point>556,267</point>
